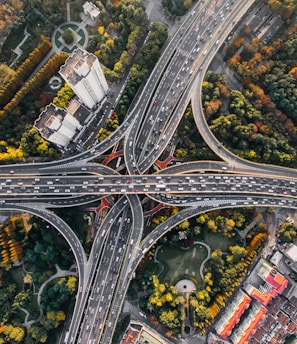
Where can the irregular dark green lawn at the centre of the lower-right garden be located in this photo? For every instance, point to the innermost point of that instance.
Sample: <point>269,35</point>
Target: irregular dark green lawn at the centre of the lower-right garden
<point>180,263</point>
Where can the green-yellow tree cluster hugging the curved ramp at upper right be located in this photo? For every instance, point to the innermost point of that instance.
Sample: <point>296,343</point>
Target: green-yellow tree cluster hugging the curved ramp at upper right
<point>245,128</point>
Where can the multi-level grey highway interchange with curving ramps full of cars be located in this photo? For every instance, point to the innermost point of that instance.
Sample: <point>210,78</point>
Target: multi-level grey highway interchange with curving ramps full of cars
<point>147,130</point>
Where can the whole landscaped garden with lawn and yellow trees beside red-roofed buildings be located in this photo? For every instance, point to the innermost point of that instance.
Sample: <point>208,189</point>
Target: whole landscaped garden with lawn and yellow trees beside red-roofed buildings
<point>216,266</point>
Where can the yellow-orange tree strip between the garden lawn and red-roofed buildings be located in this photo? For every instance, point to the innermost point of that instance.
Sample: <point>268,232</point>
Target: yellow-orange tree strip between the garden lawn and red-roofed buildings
<point>222,275</point>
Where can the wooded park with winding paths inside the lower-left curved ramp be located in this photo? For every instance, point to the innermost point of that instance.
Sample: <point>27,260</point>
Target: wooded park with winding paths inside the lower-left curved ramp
<point>41,254</point>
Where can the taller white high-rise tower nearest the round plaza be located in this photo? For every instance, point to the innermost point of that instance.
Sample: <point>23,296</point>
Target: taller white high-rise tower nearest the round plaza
<point>83,73</point>
